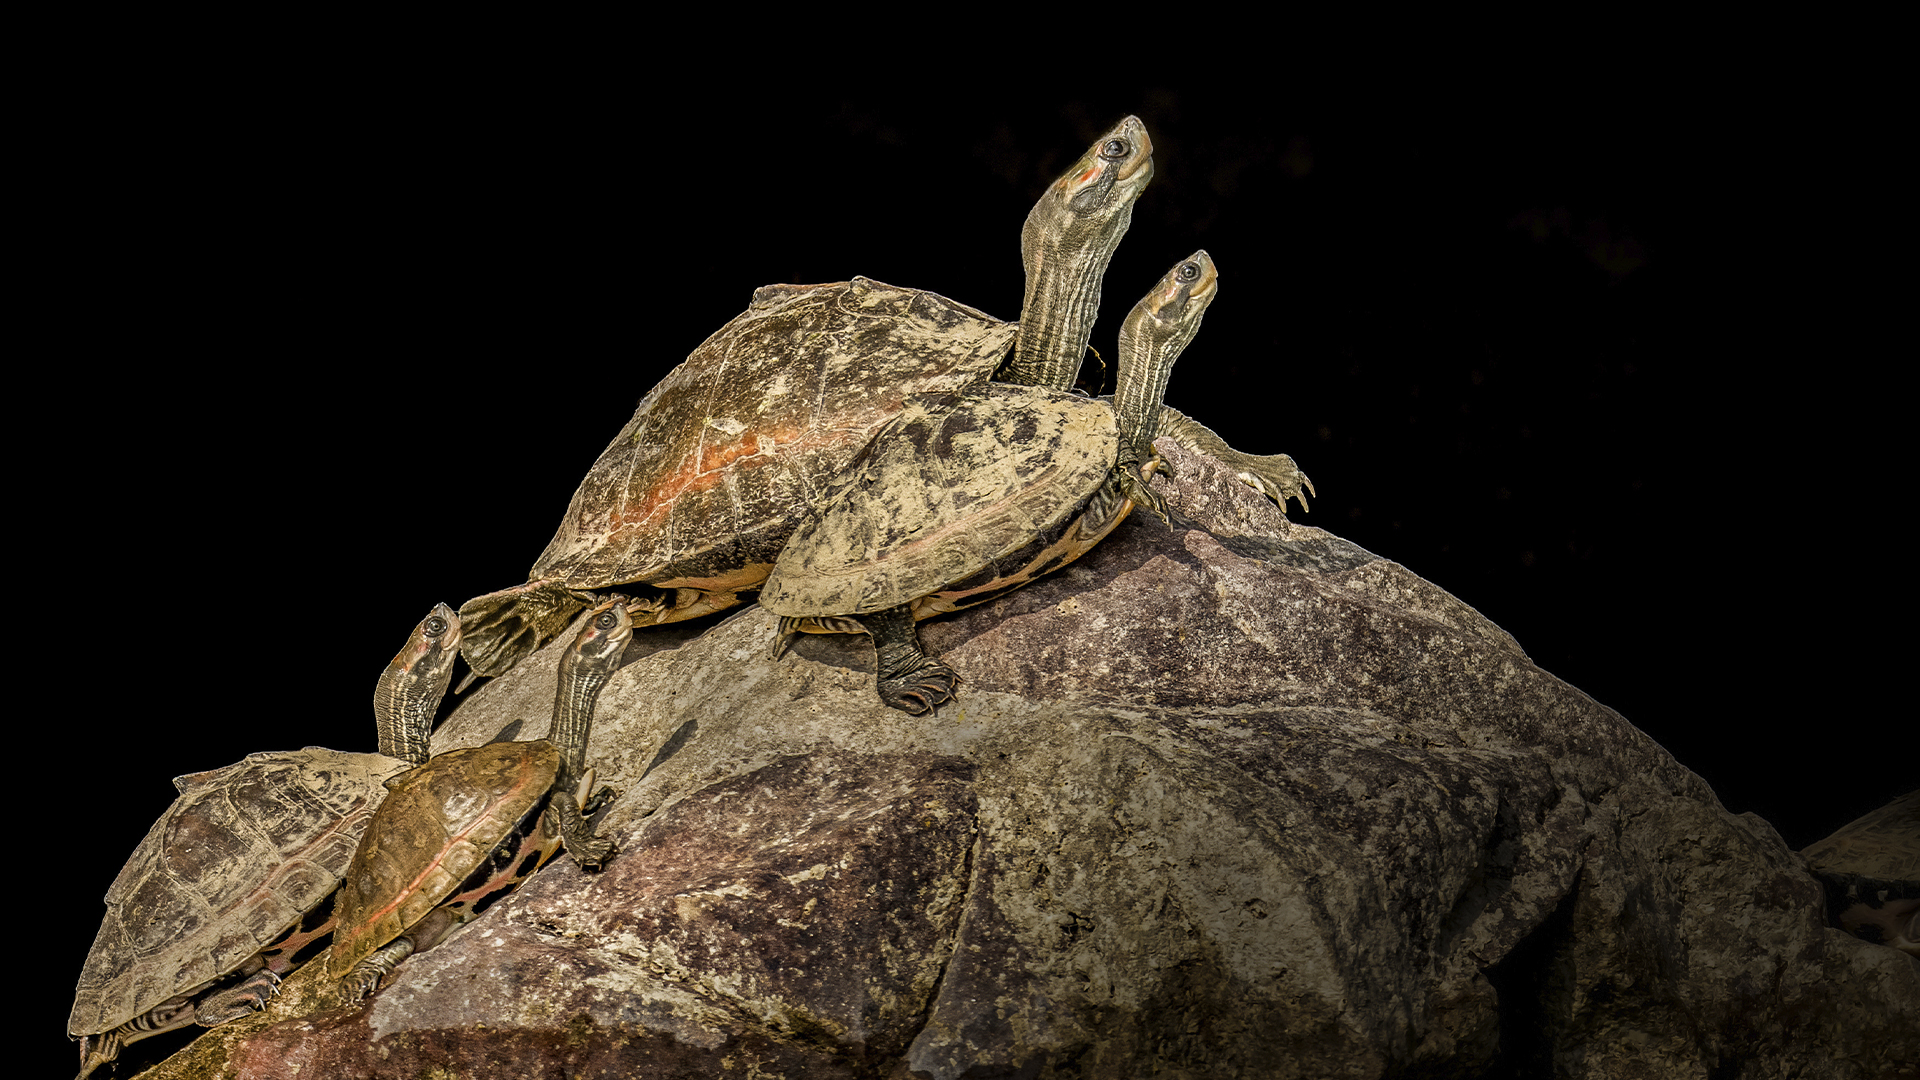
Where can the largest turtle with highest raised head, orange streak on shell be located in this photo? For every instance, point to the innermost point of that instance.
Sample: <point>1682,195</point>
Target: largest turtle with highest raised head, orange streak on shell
<point>690,504</point>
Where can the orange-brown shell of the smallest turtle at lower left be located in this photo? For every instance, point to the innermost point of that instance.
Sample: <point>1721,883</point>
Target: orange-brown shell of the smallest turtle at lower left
<point>441,823</point>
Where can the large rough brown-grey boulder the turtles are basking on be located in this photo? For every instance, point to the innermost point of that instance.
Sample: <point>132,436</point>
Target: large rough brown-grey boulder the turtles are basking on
<point>1226,800</point>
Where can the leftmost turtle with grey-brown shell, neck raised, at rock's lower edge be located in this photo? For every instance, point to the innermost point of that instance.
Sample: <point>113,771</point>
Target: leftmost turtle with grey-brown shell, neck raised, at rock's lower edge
<point>229,889</point>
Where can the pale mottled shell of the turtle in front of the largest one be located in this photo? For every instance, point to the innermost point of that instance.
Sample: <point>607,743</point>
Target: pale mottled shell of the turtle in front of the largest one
<point>953,501</point>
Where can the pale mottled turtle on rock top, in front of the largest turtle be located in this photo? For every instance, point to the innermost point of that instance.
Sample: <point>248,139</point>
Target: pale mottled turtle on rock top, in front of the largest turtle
<point>953,506</point>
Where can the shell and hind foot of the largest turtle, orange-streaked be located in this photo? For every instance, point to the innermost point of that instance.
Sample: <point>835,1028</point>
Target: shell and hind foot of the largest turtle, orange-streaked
<point>725,456</point>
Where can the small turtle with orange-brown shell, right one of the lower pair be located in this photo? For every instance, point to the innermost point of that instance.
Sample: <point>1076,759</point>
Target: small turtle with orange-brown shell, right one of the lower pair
<point>468,827</point>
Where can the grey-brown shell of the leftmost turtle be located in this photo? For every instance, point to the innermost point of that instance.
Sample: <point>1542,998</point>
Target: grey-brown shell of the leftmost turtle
<point>233,864</point>
